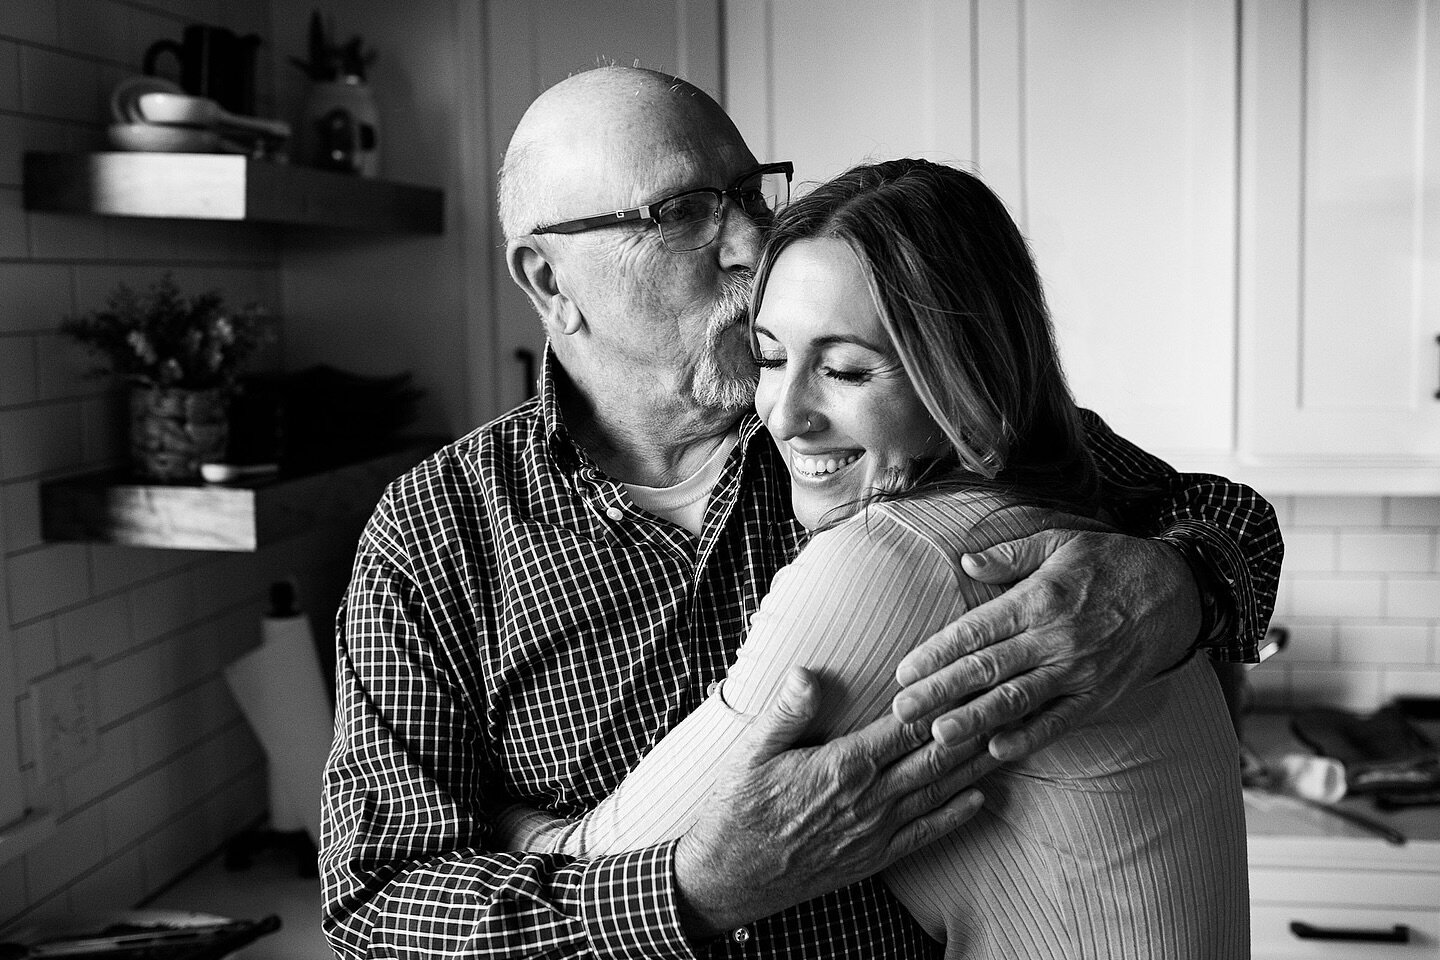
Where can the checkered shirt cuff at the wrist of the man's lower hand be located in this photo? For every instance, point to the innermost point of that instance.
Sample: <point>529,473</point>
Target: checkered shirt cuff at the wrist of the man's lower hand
<point>630,907</point>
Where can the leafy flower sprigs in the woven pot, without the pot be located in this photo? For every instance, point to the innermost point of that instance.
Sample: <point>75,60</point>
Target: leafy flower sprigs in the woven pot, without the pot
<point>163,339</point>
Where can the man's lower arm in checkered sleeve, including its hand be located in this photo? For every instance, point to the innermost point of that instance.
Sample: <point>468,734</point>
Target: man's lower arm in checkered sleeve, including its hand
<point>408,856</point>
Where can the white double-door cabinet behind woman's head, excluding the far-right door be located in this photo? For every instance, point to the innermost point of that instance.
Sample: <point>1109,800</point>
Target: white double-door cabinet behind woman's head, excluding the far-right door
<point>1110,132</point>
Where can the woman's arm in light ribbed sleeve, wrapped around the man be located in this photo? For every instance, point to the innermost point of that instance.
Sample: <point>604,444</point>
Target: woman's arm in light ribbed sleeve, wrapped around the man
<point>849,610</point>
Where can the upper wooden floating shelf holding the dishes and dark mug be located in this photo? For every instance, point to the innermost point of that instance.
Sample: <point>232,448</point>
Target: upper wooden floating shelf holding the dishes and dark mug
<point>225,188</point>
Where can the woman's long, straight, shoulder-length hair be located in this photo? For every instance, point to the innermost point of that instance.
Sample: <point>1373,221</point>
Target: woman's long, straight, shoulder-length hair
<point>958,293</point>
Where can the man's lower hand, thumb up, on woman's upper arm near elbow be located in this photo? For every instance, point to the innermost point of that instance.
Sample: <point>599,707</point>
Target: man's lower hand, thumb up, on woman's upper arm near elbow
<point>790,824</point>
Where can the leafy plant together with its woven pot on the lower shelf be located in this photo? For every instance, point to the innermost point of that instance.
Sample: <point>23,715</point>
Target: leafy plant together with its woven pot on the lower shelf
<point>181,356</point>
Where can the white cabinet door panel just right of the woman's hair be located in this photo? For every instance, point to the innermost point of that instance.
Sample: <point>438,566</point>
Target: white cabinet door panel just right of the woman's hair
<point>1131,205</point>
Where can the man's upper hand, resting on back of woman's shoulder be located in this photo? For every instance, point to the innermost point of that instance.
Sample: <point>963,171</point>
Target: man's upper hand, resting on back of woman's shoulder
<point>1095,615</point>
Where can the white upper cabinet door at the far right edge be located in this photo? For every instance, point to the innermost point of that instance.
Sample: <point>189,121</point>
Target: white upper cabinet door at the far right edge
<point>1340,248</point>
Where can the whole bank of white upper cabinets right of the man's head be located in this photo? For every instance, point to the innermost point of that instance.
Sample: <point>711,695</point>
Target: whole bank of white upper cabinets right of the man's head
<point>1236,208</point>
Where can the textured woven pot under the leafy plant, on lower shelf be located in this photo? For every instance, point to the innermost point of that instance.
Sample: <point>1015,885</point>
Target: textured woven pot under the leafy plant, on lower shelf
<point>174,431</point>
